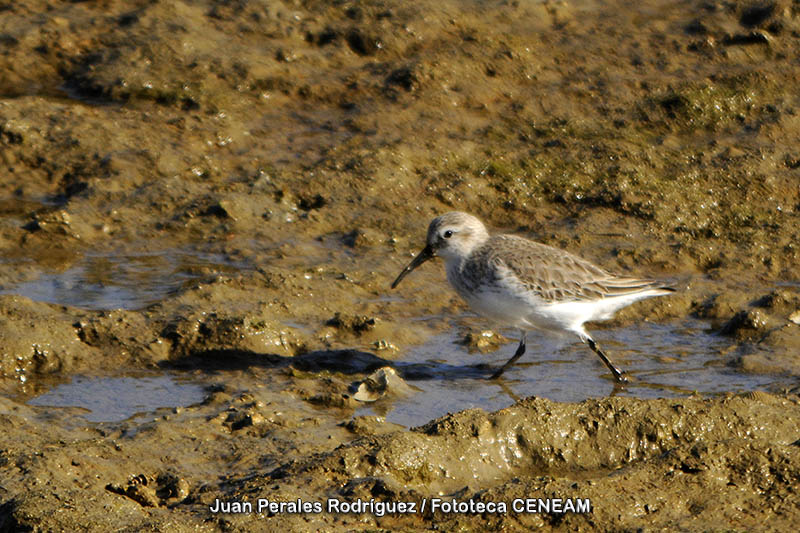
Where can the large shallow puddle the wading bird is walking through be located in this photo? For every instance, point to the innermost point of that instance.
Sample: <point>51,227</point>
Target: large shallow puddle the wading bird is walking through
<point>666,360</point>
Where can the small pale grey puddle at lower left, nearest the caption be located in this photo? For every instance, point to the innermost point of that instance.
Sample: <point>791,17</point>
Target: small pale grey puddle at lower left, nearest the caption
<point>116,399</point>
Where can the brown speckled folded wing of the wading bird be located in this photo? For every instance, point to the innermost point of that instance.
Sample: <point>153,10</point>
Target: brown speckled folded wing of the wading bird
<point>550,273</point>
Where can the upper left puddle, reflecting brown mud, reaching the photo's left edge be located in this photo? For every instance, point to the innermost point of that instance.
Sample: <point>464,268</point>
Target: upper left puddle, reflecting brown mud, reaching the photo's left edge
<point>123,281</point>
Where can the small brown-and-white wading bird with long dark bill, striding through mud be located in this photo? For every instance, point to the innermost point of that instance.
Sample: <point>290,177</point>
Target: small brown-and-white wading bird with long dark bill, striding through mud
<point>531,286</point>
